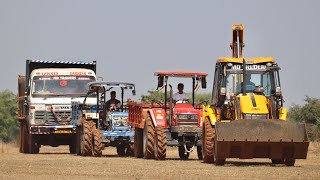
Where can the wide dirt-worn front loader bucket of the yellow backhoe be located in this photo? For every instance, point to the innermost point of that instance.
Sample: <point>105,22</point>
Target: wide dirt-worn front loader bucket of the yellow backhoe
<point>262,138</point>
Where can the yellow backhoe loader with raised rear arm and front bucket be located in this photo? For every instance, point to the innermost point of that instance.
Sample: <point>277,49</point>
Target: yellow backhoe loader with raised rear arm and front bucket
<point>246,118</point>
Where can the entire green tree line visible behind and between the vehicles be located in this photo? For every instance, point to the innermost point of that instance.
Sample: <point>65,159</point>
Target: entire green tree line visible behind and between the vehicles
<point>308,113</point>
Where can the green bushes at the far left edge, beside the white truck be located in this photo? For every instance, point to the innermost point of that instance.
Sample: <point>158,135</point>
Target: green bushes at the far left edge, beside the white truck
<point>9,126</point>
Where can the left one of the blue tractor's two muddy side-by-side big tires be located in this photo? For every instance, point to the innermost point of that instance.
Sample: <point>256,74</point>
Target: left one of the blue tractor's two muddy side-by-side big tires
<point>86,139</point>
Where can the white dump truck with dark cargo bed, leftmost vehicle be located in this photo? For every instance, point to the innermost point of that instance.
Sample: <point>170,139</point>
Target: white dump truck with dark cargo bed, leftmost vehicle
<point>44,106</point>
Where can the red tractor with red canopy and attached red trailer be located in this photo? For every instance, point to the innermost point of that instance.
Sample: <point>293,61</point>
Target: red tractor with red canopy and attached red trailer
<point>161,124</point>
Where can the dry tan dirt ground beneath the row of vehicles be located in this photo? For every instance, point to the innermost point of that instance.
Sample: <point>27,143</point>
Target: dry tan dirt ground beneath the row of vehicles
<point>57,163</point>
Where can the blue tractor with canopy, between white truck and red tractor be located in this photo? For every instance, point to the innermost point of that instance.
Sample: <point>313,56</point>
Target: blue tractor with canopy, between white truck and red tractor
<point>103,124</point>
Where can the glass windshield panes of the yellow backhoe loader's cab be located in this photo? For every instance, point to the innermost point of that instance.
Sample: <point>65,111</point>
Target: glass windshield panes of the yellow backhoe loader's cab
<point>264,79</point>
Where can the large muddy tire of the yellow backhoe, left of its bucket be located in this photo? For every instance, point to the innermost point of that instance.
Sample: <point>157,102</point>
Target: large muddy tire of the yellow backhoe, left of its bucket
<point>208,142</point>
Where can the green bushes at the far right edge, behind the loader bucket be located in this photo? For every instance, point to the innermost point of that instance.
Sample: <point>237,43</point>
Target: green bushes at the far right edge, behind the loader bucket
<point>308,113</point>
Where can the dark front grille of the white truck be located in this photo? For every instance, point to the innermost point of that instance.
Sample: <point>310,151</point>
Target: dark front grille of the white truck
<point>53,118</point>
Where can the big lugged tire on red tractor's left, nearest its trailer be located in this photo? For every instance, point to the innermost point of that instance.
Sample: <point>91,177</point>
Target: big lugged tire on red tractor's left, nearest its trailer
<point>148,140</point>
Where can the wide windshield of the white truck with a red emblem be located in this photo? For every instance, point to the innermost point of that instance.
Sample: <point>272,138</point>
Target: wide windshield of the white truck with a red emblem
<point>60,85</point>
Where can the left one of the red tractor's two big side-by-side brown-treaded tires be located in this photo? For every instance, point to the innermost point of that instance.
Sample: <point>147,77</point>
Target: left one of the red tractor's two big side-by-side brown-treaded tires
<point>149,151</point>
